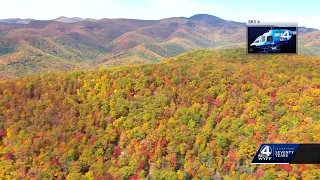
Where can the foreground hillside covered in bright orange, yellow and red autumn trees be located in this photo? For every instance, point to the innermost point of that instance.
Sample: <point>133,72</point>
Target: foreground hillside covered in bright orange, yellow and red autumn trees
<point>201,115</point>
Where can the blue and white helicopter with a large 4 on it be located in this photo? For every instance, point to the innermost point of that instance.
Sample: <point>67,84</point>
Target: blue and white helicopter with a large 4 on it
<point>271,40</point>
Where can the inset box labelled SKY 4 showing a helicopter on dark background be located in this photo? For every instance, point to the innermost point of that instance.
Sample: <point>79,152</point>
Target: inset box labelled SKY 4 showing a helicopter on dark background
<point>272,36</point>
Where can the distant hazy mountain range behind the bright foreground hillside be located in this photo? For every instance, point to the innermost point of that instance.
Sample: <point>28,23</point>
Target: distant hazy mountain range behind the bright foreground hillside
<point>33,46</point>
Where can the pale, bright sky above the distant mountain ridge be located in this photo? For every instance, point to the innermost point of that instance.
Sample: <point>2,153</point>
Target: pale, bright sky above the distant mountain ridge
<point>306,12</point>
